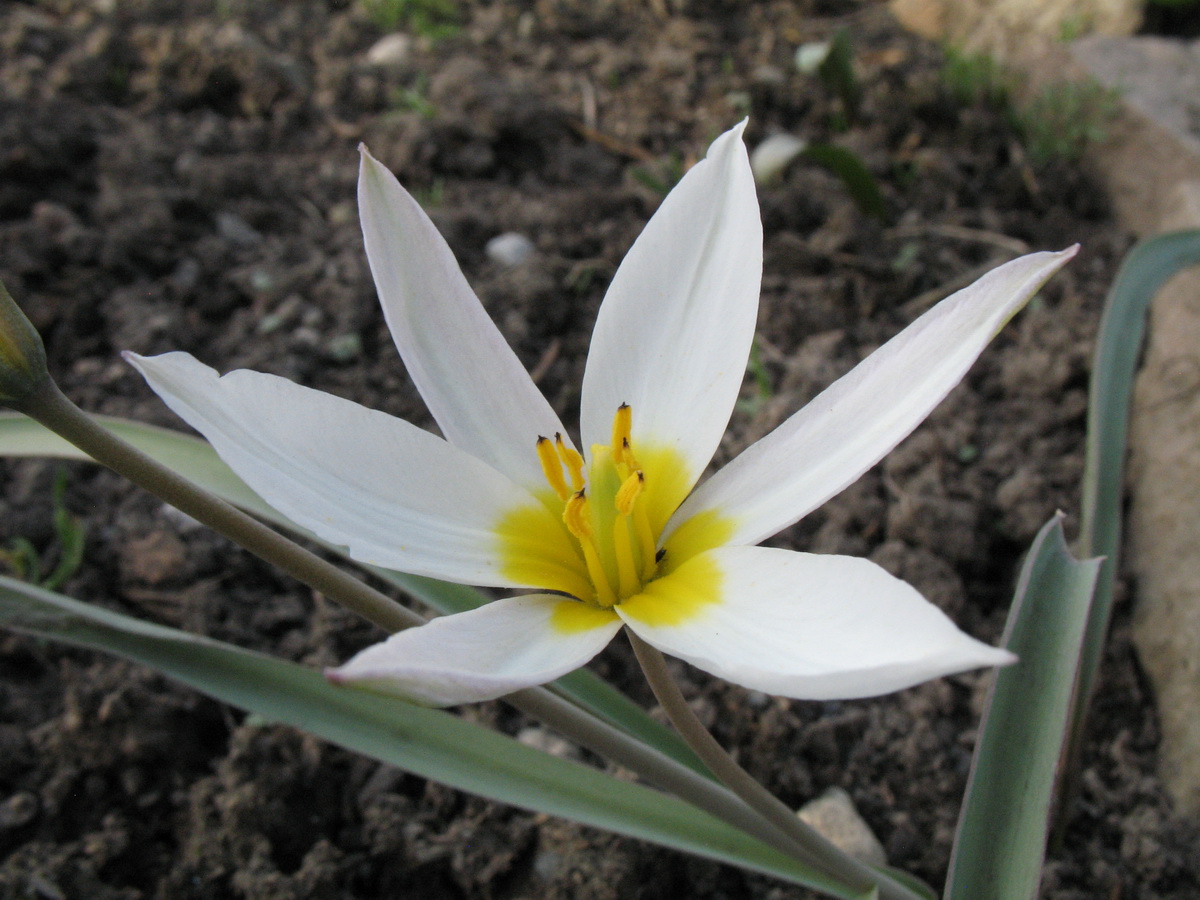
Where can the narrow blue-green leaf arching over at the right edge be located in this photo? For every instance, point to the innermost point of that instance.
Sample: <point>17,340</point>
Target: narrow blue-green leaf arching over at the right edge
<point>1147,268</point>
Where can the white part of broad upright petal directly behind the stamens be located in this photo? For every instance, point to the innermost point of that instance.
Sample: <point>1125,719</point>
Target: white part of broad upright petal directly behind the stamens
<point>675,331</point>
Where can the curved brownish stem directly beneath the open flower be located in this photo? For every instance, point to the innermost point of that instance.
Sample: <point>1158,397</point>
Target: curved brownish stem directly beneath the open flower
<point>807,844</point>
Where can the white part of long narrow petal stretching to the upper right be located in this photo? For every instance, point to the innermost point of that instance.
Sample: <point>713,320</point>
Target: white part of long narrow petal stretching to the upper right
<point>856,422</point>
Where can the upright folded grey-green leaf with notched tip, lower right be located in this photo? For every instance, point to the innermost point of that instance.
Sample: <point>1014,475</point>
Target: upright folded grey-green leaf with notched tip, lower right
<point>1003,829</point>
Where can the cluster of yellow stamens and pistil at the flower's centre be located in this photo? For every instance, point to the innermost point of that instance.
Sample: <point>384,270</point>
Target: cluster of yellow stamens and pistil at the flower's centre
<point>605,511</point>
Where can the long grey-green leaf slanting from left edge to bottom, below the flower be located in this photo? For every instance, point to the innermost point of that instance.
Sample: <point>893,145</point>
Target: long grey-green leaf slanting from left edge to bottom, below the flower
<point>427,742</point>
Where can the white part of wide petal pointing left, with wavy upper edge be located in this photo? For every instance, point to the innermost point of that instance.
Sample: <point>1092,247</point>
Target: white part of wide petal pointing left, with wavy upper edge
<point>395,495</point>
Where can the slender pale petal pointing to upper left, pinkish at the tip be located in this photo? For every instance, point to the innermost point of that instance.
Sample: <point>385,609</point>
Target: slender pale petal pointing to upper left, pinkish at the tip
<point>469,376</point>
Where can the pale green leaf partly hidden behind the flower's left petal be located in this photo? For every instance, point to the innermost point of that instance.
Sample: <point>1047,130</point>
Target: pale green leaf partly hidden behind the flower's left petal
<point>199,461</point>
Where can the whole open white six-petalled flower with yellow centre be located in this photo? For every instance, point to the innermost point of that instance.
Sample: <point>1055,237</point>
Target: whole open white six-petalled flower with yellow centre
<point>616,536</point>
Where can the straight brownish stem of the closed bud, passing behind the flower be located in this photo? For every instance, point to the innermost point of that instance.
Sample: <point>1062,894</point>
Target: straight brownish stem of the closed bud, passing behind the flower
<point>49,406</point>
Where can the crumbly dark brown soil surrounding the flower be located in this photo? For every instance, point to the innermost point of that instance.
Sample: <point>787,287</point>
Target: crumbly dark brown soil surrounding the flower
<point>179,175</point>
